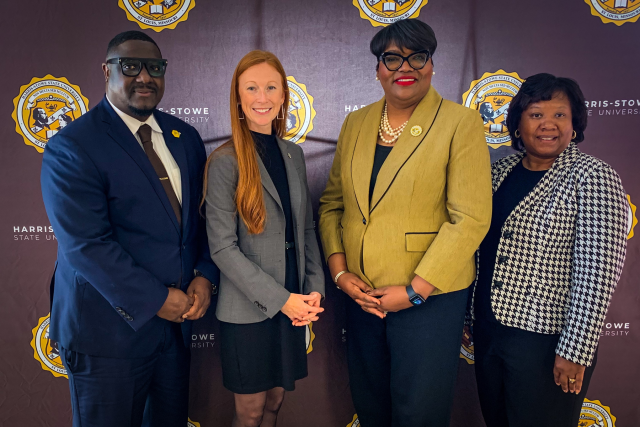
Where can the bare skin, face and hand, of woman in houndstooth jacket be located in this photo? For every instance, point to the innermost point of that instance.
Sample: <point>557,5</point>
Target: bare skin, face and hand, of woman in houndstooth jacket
<point>546,130</point>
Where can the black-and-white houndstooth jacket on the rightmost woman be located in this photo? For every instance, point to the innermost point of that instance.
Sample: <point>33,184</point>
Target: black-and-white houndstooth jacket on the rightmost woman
<point>561,252</point>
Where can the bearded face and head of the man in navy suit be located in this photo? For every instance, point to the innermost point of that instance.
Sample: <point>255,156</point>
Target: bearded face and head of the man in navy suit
<point>135,96</point>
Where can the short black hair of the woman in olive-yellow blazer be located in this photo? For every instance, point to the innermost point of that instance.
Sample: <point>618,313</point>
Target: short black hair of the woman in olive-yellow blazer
<point>410,34</point>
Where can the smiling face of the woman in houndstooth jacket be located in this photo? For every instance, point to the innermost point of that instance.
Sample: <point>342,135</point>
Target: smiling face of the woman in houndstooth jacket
<point>546,128</point>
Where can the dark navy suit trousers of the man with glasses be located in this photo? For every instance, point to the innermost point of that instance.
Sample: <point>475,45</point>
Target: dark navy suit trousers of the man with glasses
<point>150,391</point>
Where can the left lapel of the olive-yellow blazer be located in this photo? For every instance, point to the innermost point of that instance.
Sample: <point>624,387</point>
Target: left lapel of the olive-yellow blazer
<point>363,155</point>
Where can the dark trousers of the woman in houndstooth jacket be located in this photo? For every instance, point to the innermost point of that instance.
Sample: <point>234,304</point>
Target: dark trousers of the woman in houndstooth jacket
<point>514,371</point>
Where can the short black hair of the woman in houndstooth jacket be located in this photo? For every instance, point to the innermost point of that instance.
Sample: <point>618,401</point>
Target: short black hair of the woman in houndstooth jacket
<point>543,87</point>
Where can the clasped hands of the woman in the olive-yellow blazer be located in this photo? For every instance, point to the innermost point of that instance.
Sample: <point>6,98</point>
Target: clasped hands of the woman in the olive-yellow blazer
<point>380,301</point>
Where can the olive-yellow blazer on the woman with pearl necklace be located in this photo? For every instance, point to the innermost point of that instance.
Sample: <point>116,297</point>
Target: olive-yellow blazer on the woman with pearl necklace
<point>431,206</point>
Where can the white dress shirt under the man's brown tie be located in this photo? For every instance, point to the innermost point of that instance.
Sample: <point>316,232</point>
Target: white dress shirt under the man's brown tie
<point>159,146</point>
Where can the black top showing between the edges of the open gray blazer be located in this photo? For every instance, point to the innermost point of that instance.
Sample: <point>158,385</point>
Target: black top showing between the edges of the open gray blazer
<point>270,154</point>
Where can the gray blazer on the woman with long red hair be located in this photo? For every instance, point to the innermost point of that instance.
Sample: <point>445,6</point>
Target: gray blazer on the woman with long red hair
<point>252,267</point>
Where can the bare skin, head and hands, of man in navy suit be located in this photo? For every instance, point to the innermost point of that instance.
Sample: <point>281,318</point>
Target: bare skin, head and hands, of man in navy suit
<point>145,93</point>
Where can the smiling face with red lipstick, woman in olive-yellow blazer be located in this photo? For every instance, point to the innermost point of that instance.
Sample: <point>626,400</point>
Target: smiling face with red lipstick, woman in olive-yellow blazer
<point>405,86</point>
